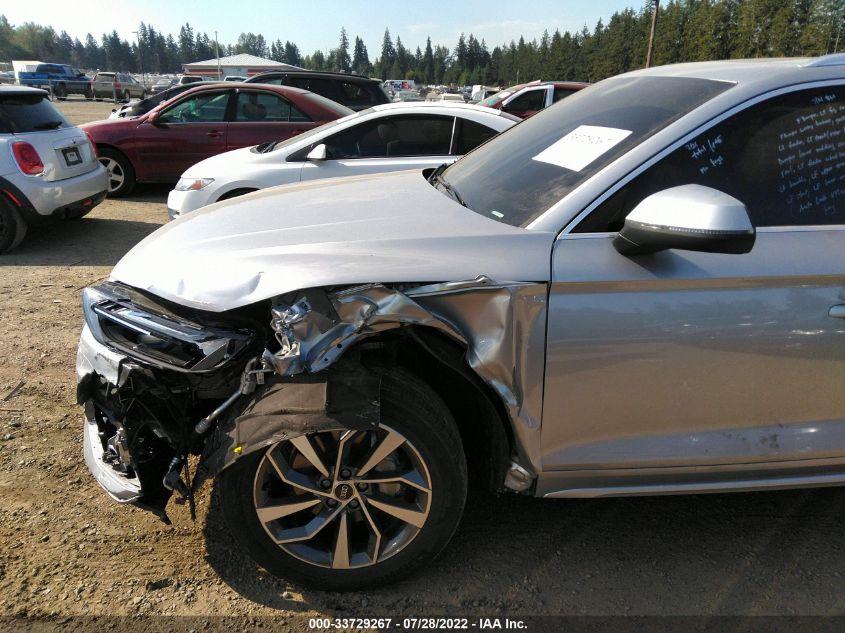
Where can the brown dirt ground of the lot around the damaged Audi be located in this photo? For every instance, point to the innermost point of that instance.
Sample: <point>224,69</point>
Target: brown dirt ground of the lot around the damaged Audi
<point>66,550</point>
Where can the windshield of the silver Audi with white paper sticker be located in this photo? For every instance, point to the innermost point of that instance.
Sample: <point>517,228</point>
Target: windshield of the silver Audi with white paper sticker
<point>520,174</point>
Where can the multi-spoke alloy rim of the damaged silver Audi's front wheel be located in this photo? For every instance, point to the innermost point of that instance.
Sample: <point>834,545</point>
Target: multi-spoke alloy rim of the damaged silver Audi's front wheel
<point>343,498</point>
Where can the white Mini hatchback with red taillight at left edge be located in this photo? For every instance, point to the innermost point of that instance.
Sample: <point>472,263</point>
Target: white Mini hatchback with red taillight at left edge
<point>48,167</point>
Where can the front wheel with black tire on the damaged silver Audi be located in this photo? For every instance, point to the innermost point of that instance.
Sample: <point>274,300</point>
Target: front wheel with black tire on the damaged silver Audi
<point>389,498</point>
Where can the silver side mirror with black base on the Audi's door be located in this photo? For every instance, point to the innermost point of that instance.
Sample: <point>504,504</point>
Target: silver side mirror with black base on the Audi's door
<point>689,217</point>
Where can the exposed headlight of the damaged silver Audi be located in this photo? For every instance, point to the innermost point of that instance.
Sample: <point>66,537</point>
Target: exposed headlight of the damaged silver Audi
<point>123,319</point>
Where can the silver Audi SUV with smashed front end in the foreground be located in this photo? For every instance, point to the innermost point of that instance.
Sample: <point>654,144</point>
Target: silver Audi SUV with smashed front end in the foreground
<point>640,290</point>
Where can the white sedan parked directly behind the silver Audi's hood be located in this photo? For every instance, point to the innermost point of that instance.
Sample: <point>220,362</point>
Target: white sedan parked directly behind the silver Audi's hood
<point>389,137</point>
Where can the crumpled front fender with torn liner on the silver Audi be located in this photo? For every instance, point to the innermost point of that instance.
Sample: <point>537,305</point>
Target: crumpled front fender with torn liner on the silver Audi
<point>501,326</point>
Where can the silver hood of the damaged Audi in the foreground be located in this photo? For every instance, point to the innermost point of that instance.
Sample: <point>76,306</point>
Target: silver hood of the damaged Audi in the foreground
<point>380,228</point>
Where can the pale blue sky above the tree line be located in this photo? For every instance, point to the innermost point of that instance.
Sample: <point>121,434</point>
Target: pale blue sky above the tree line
<point>316,24</point>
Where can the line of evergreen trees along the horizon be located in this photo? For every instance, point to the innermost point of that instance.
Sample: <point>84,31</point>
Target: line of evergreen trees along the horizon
<point>687,30</point>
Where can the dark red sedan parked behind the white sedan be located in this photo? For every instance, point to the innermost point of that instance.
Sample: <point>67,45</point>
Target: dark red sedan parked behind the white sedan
<point>160,145</point>
